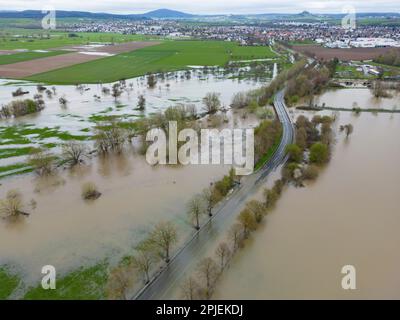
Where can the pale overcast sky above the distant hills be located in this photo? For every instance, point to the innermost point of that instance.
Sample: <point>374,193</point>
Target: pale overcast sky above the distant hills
<point>206,6</point>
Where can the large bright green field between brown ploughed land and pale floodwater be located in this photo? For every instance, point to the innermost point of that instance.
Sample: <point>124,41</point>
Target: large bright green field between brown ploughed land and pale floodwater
<point>168,56</point>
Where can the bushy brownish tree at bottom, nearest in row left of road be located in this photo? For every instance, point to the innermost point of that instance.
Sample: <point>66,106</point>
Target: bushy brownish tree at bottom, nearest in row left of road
<point>119,281</point>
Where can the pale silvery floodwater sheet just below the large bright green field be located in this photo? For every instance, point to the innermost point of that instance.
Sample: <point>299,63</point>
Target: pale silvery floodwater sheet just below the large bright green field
<point>176,88</point>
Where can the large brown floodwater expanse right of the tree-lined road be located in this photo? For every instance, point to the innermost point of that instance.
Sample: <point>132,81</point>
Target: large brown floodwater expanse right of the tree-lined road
<point>349,216</point>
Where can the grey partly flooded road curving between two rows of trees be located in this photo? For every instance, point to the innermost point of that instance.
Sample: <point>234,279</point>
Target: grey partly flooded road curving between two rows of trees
<point>182,262</point>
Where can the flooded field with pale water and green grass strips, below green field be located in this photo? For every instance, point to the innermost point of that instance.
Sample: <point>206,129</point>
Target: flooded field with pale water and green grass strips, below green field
<point>89,105</point>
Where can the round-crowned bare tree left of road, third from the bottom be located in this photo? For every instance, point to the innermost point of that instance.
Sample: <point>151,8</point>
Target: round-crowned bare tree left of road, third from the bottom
<point>163,237</point>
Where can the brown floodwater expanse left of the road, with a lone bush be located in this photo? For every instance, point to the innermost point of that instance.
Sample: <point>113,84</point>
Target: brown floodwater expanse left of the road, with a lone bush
<point>65,231</point>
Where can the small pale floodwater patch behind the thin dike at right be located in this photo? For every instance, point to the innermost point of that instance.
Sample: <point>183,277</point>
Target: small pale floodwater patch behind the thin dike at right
<point>357,98</point>
